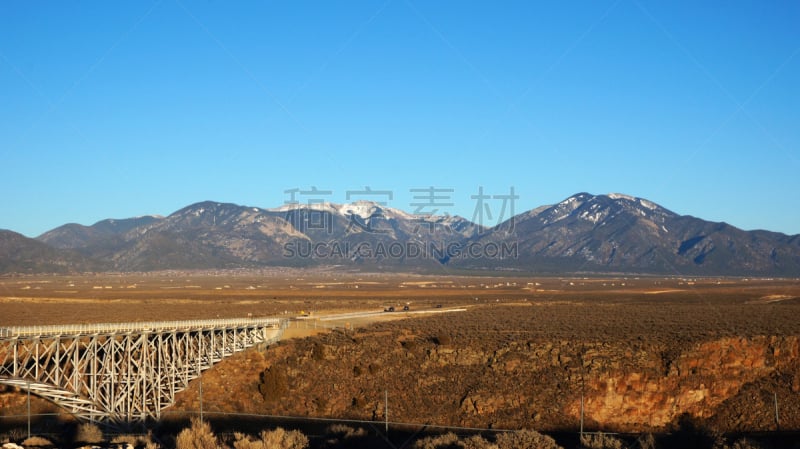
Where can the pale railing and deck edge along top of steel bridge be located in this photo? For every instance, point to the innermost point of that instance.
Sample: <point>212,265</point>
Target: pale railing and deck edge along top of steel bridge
<point>140,326</point>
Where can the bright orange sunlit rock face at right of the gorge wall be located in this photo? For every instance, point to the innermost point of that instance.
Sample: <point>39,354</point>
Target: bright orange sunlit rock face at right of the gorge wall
<point>698,382</point>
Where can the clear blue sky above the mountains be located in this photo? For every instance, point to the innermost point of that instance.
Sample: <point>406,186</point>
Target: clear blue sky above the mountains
<point>119,109</point>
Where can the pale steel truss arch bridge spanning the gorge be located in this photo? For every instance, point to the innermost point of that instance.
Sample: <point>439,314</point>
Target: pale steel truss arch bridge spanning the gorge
<point>123,372</point>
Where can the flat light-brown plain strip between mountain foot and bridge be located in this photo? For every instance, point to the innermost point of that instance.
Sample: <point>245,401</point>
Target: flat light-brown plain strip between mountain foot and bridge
<point>203,295</point>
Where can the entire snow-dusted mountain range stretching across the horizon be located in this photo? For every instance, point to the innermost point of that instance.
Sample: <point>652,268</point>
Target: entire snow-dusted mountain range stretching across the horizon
<point>585,233</point>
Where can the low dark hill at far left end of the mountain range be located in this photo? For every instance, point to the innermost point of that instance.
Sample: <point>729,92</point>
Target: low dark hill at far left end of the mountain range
<point>20,254</point>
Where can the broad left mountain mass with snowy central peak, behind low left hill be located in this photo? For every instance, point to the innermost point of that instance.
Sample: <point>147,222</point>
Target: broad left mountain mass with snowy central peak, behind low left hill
<point>223,235</point>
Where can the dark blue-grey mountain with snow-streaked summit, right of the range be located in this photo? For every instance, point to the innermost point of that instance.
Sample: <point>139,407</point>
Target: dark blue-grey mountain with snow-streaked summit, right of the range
<point>620,233</point>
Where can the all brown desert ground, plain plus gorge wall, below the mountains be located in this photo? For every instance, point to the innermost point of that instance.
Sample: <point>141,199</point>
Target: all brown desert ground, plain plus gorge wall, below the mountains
<point>636,353</point>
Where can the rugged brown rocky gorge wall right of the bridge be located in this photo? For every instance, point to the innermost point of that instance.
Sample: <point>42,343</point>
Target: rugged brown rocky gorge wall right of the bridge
<point>526,384</point>
